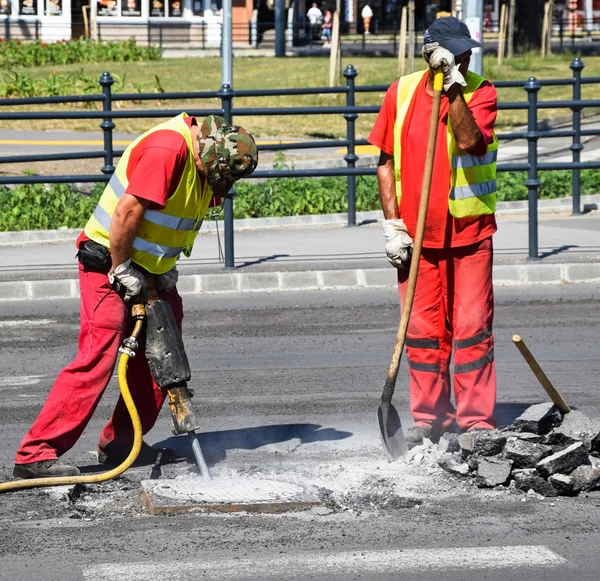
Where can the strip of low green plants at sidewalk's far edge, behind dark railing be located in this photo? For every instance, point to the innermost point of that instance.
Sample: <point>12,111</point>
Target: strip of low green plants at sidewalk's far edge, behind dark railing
<point>37,207</point>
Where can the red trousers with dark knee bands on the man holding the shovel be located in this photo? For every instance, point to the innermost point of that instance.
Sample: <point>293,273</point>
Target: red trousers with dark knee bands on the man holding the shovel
<point>453,307</point>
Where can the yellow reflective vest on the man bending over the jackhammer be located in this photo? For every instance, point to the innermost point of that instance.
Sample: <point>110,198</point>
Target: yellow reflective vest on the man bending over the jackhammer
<point>163,234</point>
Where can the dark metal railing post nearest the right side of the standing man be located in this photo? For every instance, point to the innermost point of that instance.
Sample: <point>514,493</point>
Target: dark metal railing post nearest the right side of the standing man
<point>532,86</point>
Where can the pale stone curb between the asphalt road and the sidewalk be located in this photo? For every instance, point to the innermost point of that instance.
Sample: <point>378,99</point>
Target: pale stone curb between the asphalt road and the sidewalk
<point>504,275</point>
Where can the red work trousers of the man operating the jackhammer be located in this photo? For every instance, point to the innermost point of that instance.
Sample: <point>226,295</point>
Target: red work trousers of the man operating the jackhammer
<point>105,322</point>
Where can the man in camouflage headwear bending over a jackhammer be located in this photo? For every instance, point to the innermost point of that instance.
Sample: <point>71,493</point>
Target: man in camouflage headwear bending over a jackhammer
<point>149,214</point>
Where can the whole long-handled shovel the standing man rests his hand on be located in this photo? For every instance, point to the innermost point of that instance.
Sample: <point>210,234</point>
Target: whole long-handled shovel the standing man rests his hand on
<point>390,427</point>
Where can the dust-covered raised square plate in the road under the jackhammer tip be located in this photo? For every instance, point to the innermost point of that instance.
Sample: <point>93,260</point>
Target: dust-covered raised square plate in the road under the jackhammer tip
<point>227,494</point>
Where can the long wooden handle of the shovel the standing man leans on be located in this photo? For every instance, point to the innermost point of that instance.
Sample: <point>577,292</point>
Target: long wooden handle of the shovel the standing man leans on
<point>390,382</point>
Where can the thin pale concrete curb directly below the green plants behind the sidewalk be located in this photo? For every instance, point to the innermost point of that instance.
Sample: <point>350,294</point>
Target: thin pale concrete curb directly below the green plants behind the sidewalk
<point>31,237</point>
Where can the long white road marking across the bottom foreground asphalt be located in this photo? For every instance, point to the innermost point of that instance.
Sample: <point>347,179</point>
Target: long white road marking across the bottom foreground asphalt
<point>340,564</point>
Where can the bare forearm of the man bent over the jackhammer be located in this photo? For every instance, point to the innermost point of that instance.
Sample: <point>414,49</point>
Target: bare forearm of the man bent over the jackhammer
<point>125,224</point>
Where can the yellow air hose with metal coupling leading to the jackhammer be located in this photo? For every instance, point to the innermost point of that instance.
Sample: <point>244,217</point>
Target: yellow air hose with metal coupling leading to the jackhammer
<point>127,351</point>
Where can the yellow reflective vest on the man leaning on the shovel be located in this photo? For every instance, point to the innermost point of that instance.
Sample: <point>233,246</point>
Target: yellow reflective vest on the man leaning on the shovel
<point>472,177</point>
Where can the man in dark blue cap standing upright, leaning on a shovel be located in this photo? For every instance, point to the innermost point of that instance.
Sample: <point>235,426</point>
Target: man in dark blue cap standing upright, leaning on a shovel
<point>454,304</point>
